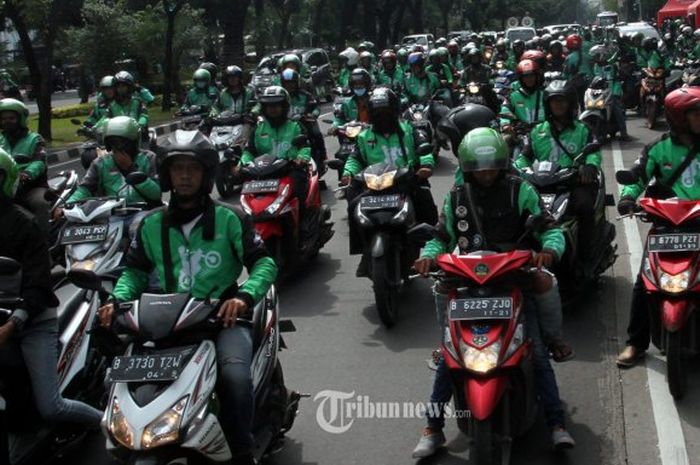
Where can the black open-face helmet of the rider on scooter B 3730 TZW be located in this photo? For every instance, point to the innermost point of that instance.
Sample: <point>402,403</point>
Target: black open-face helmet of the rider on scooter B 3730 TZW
<point>192,144</point>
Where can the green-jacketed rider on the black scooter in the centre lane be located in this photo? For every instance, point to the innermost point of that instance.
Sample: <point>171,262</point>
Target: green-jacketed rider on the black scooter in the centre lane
<point>389,140</point>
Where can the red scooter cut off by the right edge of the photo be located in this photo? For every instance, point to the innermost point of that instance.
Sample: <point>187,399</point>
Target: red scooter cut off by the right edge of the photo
<point>670,275</point>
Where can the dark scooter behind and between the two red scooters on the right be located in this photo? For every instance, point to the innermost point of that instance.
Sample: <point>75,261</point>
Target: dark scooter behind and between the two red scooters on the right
<point>554,184</point>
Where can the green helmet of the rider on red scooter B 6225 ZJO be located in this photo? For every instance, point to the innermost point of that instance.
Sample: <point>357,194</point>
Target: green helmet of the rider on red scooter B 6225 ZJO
<point>483,149</point>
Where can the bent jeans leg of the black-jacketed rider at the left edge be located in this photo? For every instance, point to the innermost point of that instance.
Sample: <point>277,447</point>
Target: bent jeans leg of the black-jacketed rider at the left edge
<point>39,345</point>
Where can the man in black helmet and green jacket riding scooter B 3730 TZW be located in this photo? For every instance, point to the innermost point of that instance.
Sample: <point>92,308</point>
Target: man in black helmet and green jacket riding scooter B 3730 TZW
<point>195,222</point>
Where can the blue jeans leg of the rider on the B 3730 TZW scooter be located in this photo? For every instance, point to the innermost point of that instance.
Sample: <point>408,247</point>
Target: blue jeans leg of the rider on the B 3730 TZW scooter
<point>234,350</point>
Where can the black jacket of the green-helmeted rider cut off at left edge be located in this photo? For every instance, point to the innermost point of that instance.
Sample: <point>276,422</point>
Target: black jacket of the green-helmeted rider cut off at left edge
<point>22,240</point>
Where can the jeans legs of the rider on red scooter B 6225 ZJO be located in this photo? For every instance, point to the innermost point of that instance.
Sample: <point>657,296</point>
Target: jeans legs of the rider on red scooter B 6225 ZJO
<point>546,383</point>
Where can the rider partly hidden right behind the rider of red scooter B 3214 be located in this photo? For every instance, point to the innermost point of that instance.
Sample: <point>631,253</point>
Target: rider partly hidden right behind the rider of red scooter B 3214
<point>303,108</point>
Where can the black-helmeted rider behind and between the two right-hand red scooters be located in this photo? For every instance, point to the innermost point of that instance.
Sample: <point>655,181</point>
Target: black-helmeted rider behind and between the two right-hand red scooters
<point>558,140</point>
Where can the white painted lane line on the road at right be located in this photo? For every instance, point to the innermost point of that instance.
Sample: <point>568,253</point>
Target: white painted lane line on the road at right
<point>669,430</point>
